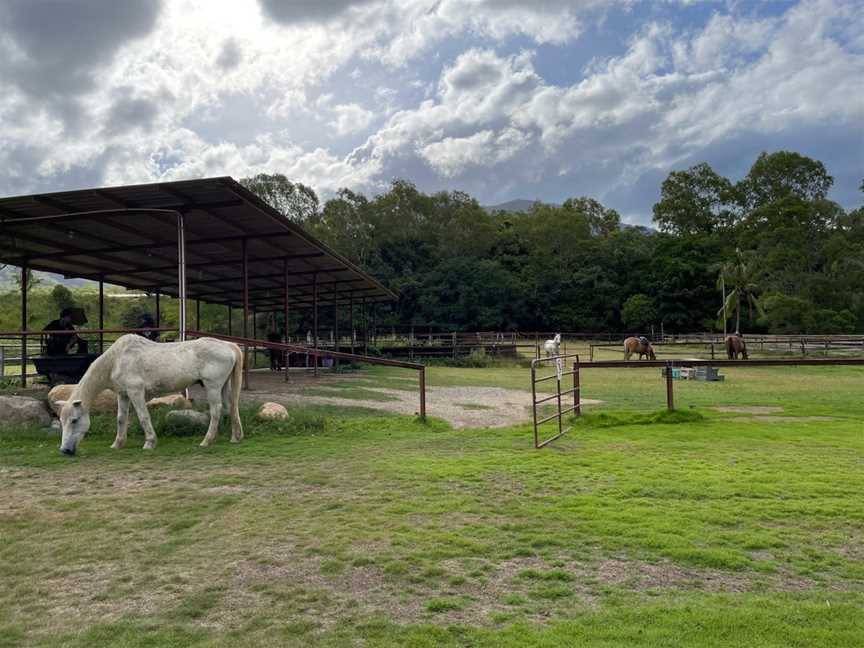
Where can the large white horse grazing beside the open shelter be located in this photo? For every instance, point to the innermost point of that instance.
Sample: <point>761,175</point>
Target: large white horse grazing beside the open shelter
<point>135,366</point>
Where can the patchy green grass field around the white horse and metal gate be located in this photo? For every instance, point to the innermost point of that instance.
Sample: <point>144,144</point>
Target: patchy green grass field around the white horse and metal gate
<point>344,528</point>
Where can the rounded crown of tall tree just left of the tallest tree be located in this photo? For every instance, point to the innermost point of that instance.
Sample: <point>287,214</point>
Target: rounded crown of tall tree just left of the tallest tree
<point>696,201</point>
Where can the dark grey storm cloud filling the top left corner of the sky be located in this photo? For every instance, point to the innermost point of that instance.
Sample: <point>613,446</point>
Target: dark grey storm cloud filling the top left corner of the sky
<point>50,49</point>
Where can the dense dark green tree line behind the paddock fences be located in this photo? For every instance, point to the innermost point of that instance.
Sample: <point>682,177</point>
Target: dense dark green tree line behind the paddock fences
<point>786,258</point>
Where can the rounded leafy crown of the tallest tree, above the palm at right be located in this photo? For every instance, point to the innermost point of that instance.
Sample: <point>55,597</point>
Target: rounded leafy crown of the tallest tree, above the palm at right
<point>782,174</point>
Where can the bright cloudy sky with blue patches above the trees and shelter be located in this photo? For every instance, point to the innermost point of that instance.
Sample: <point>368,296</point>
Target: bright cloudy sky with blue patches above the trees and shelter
<point>504,99</point>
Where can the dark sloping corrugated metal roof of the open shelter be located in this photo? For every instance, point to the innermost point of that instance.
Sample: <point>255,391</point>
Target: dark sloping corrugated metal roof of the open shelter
<point>138,249</point>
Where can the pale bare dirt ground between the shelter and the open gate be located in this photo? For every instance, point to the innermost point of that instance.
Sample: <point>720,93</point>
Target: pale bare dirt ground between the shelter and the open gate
<point>461,406</point>
